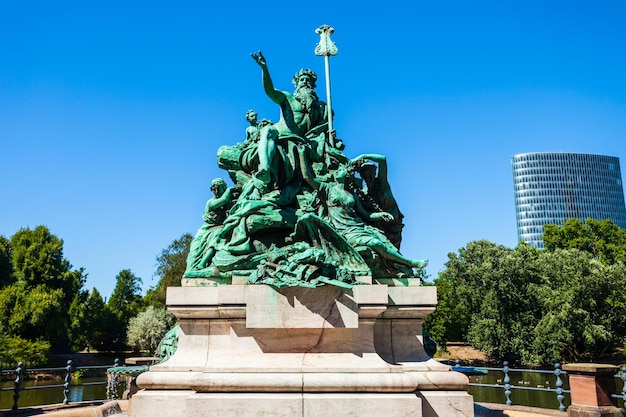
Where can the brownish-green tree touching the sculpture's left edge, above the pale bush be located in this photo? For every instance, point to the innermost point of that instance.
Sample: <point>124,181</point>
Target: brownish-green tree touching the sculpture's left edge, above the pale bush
<point>171,265</point>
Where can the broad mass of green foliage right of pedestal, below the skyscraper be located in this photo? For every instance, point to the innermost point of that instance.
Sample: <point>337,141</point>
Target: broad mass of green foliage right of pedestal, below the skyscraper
<point>530,306</point>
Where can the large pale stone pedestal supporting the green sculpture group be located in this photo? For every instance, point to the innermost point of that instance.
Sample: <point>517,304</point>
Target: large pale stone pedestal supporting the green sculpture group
<point>252,350</point>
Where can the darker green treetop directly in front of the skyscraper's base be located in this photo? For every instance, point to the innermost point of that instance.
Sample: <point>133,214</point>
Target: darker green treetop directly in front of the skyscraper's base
<point>602,239</point>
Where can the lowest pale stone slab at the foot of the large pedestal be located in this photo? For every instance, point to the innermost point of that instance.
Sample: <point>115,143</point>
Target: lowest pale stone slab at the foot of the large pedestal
<point>184,403</point>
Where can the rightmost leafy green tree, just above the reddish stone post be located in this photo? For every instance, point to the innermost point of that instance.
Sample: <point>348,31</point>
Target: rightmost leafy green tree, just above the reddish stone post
<point>583,307</point>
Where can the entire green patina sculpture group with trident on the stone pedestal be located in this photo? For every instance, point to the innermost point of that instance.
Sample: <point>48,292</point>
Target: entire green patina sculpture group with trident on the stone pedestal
<point>297,214</point>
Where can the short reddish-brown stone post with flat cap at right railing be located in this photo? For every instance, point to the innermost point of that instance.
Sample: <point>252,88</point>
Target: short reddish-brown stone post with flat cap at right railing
<point>591,385</point>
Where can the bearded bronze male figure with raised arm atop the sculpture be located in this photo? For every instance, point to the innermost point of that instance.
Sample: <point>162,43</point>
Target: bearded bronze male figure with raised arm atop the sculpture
<point>303,119</point>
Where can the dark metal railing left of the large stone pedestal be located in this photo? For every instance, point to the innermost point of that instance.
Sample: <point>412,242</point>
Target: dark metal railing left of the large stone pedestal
<point>65,387</point>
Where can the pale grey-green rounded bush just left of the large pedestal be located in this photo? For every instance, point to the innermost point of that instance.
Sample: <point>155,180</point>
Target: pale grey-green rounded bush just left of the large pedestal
<point>146,330</point>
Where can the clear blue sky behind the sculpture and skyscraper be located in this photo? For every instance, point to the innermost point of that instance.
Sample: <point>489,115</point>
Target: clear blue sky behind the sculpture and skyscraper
<point>111,113</point>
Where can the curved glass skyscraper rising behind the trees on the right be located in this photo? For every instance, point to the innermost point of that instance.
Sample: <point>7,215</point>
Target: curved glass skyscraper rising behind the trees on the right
<point>554,187</point>
